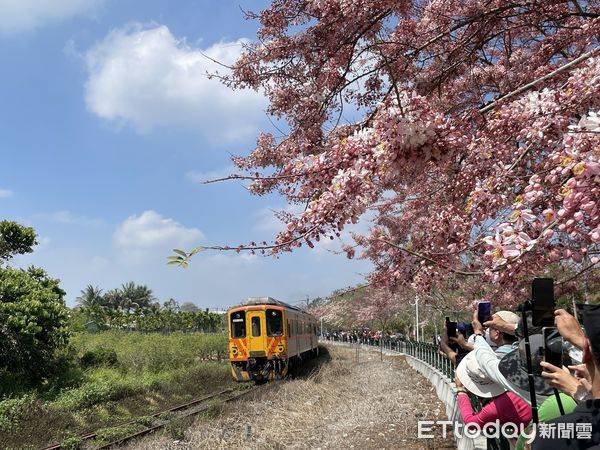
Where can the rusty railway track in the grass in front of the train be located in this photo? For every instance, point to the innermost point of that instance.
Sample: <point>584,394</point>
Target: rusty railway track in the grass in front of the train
<point>177,412</point>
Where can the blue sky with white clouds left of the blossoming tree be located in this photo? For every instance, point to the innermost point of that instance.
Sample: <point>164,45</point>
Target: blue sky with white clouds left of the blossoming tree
<point>107,122</point>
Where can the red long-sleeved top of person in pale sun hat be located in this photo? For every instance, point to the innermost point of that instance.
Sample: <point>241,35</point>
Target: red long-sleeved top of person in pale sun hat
<point>506,407</point>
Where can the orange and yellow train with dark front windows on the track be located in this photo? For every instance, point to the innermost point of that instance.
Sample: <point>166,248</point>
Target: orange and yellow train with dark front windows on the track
<point>267,337</point>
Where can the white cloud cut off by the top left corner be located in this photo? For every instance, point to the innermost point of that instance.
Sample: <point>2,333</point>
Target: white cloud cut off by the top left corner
<point>26,15</point>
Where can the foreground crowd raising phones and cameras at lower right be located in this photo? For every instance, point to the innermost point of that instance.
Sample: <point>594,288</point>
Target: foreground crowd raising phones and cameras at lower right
<point>503,363</point>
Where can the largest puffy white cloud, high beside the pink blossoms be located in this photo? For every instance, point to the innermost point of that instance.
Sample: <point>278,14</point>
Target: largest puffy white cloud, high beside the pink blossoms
<point>147,78</point>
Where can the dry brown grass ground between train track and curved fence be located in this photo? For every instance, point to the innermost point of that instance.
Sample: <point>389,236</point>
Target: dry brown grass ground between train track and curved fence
<point>338,403</point>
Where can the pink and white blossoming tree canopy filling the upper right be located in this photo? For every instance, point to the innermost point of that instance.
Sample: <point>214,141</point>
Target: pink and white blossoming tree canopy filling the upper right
<point>472,129</point>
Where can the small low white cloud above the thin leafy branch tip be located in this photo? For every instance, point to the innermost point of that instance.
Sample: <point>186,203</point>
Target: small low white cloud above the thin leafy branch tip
<point>150,231</point>
